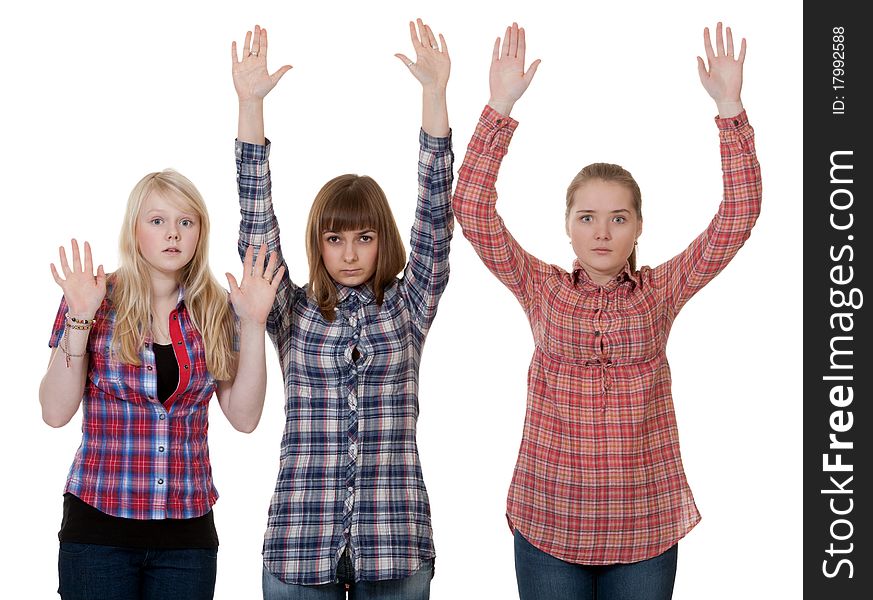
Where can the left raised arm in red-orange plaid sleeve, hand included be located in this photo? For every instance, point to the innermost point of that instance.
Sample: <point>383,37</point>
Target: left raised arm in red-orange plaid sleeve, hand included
<point>475,196</point>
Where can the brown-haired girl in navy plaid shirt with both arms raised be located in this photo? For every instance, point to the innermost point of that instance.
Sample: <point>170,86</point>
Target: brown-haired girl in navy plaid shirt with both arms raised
<point>350,510</point>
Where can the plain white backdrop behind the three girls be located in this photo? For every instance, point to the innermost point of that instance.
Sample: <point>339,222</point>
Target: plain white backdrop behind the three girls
<point>96,96</point>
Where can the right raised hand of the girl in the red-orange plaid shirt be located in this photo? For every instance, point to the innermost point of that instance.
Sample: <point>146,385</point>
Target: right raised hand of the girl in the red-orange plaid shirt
<point>724,78</point>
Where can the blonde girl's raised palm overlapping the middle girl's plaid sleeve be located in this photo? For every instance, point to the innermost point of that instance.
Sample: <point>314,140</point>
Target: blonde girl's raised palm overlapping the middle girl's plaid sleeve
<point>253,298</point>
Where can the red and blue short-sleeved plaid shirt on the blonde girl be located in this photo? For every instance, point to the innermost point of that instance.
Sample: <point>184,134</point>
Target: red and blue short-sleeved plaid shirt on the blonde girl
<point>140,459</point>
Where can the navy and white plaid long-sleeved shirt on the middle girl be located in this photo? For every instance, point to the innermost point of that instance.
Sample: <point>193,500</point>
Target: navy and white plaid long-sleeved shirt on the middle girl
<point>349,472</point>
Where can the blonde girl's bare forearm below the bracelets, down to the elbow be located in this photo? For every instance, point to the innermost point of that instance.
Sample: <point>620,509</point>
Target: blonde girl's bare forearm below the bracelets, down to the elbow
<point>62,387</point>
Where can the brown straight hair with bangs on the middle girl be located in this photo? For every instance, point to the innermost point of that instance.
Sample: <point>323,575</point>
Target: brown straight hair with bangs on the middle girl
<point>351,202</point>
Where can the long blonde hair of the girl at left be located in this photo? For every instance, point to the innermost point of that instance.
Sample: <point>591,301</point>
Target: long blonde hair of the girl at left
<point>205,299</point>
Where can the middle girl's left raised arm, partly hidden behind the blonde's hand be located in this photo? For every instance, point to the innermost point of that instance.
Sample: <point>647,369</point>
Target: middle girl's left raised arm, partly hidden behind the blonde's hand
<point>258,224</point>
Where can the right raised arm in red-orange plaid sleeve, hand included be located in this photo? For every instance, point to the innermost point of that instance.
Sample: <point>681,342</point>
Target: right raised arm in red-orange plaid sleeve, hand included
<point>706,256</point>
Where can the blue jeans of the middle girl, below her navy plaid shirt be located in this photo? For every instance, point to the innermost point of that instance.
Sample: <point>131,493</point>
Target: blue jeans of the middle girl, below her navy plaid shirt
<point>414,587</point>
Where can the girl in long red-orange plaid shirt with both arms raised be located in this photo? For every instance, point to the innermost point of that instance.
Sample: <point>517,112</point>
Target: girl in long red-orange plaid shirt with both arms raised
<point>599,499</point>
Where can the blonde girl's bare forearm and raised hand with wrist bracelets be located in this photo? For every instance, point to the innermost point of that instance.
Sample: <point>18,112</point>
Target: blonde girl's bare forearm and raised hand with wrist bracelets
<point>63,385</point>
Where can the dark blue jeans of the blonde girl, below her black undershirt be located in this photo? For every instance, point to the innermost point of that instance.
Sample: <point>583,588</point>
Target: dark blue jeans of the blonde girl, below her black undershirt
<point>92,572</point>
